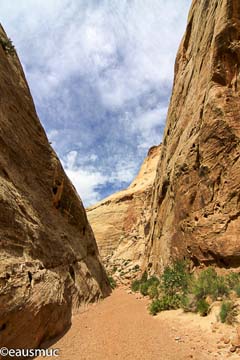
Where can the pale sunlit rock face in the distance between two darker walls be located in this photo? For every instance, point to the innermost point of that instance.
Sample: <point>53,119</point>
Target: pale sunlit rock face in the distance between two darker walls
<point>119,221</point>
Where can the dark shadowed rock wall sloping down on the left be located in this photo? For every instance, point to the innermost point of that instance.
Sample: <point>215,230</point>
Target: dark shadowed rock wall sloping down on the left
<point>49,261</point>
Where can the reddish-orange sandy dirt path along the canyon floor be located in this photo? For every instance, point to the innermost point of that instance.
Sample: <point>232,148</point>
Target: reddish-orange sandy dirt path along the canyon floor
<point>121,328</point>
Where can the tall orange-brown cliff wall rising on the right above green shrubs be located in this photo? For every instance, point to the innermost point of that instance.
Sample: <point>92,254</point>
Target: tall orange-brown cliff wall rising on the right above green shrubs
<point>196,196</point>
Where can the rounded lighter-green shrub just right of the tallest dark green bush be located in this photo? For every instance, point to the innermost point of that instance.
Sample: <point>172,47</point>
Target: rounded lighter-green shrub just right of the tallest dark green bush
<point>209,283</point>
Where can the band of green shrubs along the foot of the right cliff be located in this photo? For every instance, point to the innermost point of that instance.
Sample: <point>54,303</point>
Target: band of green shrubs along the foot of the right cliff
<point>177,288</point>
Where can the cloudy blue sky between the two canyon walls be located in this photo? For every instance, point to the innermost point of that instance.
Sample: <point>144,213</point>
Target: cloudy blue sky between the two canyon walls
<point>100,73</point>
